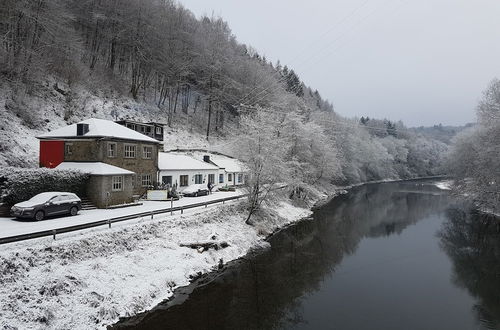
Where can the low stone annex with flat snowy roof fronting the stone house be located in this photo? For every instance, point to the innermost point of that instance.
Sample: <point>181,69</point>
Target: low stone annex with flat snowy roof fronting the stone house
<point>108,185</point>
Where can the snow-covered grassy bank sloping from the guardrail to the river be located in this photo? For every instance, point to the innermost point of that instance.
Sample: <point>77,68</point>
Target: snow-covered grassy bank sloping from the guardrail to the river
<point>87,280</point>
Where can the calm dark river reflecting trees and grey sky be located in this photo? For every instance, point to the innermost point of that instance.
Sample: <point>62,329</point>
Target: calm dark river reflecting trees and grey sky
<point>384,256</point>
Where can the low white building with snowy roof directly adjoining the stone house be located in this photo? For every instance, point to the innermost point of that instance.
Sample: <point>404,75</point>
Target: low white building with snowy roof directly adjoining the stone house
<point>182,170</point>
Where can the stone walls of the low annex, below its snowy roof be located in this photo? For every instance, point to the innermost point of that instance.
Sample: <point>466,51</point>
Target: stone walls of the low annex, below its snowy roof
<point>99,186</point>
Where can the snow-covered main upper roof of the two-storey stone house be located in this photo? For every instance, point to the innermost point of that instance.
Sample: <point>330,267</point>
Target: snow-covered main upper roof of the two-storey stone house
<point>98,128</point>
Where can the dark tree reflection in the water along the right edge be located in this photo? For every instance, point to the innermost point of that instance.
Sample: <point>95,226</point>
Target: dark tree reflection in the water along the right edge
<point>472,241</point>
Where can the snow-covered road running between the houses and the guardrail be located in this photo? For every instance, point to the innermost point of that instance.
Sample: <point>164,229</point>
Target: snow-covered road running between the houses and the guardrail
<point>12,226</point>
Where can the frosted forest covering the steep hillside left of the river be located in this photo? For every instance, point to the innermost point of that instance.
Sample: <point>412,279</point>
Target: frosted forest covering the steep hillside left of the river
<point>154,59</point>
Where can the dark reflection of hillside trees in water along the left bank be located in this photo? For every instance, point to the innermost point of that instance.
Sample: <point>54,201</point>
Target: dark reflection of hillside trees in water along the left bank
<point>266,290</point>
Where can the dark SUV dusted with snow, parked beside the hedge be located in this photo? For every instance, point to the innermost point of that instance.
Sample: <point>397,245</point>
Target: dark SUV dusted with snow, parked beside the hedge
<point>47,204</point>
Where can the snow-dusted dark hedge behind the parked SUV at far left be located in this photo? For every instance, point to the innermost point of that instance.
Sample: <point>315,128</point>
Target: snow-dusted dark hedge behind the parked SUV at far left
<point>20,184</point>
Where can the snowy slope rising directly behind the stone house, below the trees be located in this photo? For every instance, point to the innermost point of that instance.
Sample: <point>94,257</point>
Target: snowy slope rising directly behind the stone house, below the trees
<point>21,120</point>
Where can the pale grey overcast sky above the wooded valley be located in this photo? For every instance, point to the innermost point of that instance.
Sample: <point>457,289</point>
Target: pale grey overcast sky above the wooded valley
<point>421,61</point>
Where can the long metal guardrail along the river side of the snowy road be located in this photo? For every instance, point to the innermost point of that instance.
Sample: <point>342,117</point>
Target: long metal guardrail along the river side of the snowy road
<point>108,222</point>
